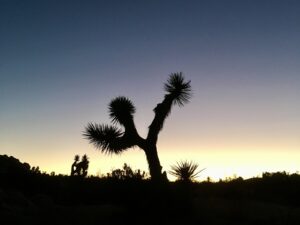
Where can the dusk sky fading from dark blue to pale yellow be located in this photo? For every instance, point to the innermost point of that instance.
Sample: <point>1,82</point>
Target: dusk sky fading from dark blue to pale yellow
<point>62,61</point>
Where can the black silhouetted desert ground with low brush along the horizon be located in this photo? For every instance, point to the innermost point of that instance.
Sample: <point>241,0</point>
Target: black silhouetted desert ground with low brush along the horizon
<point>29,196</point>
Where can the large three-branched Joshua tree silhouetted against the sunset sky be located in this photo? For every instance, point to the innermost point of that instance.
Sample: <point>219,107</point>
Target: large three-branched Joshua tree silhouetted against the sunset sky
<point>110,139</point>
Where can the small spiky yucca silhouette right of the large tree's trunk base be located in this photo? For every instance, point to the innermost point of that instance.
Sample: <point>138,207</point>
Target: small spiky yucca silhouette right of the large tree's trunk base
<point>185,171</point>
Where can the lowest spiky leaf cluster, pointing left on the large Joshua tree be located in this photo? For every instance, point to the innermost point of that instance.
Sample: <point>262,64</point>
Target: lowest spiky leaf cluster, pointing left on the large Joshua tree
<point>106,138</point>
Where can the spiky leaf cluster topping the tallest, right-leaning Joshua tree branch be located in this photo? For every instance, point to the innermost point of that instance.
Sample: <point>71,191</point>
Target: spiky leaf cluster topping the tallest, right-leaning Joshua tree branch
<point>178,89</point>
